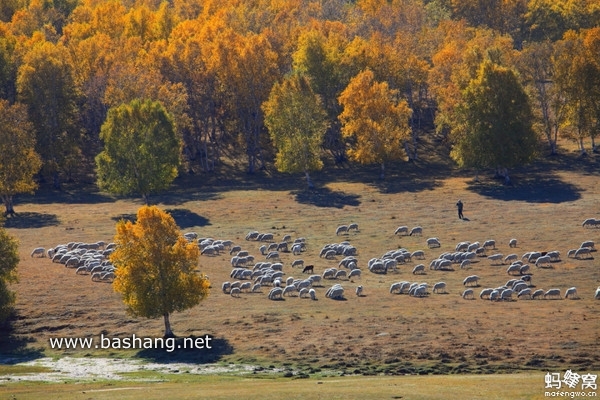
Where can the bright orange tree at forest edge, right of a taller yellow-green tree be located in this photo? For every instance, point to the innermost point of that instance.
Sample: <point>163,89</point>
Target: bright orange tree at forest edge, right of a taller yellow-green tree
<point>374,121</point>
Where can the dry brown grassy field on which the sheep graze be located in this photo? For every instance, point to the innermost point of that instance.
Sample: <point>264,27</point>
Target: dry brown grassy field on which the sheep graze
<point>379,334</point>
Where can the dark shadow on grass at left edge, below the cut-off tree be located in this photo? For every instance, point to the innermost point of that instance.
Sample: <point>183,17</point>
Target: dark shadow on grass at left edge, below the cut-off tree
<point>14,349</point>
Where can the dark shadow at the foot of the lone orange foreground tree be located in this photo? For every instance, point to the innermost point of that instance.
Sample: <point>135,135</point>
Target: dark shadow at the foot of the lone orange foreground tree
<point>183,353</point>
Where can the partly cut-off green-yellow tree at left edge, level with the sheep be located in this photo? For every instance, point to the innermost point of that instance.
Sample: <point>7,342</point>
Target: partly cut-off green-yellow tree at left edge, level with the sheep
<point>9,259</point>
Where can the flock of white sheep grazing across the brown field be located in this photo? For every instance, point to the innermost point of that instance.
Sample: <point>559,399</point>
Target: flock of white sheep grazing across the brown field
<point>250,276</point>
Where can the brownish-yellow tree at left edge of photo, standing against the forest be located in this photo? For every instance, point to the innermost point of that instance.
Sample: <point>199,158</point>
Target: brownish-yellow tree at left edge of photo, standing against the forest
<point>18,160</point>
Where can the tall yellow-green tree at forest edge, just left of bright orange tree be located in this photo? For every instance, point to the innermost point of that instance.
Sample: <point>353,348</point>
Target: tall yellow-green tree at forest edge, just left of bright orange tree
<point>297,124</point>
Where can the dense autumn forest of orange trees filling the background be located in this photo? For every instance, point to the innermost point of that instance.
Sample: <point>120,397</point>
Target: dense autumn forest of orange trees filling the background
<point>213,65</point>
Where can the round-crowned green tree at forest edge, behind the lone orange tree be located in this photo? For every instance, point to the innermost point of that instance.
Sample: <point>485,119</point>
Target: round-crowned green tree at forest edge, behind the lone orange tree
<point>142,151</point>
